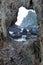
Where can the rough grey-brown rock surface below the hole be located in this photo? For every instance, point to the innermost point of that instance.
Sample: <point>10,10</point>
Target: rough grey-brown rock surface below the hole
<point>20,53</point>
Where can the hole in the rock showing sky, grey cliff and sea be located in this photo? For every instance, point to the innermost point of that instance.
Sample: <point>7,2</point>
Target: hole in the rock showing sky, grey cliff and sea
<point>26,26</point>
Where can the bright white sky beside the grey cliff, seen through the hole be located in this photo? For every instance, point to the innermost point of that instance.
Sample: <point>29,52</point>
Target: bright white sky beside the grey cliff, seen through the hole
<point>22,14</point>
